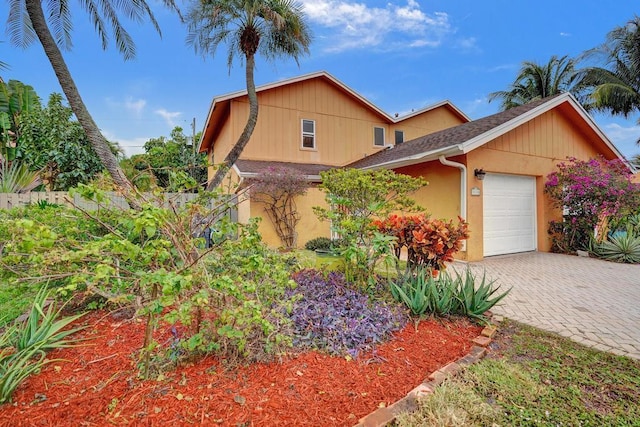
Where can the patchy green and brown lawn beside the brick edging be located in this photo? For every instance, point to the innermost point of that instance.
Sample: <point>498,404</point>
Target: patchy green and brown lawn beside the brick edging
<point>535,378</point>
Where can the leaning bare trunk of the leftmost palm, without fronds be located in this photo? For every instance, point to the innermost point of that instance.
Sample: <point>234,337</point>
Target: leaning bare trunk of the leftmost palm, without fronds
<point>98,141</point>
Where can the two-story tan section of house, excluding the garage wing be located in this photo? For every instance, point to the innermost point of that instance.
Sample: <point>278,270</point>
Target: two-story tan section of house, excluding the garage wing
<point>311,123</point>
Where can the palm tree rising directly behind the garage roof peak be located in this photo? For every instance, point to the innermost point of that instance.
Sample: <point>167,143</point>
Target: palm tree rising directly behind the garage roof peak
<point>537,81</point>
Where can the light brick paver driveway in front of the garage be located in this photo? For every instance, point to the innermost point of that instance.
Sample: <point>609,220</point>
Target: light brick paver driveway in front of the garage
<point>591,301</point>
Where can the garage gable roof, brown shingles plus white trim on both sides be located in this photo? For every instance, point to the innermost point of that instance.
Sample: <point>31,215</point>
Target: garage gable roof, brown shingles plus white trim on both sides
<point>466,137</point>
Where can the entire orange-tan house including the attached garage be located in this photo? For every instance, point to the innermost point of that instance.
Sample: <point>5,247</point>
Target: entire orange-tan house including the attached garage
<point>490,171</point>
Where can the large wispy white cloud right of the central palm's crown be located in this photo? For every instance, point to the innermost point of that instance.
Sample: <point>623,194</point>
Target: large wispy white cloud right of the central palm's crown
<point>357,25</point>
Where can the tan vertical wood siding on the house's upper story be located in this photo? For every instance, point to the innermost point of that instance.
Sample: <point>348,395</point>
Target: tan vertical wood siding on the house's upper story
<point>344,125</point>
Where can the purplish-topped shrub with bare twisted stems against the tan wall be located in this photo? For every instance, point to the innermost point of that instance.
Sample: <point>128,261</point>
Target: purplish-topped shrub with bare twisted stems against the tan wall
<point>277,188</point>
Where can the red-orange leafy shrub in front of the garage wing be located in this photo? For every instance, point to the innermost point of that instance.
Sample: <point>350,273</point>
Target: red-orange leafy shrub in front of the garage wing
<point>429,242</point>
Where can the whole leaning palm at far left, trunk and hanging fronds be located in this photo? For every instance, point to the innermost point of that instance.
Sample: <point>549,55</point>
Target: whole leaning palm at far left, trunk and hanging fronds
<point>27,21</point>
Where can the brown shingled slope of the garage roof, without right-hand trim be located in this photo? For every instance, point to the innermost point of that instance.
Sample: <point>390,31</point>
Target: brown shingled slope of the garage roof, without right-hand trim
<point>445,139</point>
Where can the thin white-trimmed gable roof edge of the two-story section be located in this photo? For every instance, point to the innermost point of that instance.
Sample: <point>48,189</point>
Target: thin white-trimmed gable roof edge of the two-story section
<point>218,104</point>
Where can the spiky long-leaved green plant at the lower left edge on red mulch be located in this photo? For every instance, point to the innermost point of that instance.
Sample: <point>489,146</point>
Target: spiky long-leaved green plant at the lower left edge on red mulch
<point>24,345</point>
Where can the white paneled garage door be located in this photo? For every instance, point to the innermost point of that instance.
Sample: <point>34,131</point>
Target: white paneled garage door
<point>509,214</point>
